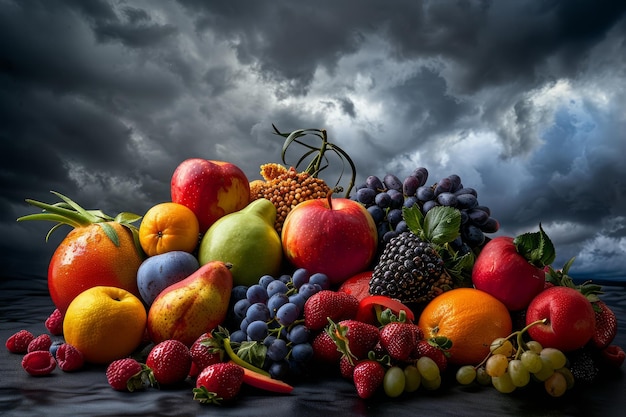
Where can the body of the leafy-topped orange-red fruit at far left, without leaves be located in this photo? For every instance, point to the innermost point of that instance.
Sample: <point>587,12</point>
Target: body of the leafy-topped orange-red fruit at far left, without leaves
<point>87,257</point>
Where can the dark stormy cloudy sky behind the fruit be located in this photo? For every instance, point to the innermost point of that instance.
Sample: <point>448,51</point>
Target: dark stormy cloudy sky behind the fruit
<point>525,100</point>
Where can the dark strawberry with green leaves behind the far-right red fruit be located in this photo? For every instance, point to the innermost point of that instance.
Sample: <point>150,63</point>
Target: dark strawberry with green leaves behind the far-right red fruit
<point>606,321</point>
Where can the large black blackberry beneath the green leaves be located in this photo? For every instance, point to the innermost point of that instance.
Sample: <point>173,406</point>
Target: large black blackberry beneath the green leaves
<point>410,270</point>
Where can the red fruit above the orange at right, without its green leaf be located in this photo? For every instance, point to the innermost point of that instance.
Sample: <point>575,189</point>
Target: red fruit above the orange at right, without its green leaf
<point>503,272</point>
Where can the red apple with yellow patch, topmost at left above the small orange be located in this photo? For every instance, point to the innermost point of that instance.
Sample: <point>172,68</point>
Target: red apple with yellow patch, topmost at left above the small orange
<point>211,189</point>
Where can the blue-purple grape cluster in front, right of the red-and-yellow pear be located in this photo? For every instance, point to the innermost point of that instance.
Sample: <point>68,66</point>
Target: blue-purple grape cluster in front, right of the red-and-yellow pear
<point>269,317</point>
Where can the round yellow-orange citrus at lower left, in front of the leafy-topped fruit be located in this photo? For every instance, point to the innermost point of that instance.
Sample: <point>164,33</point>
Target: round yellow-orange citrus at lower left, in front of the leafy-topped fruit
<point>105,324</point>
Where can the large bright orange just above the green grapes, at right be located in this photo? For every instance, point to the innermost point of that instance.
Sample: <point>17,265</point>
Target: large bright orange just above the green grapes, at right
<point>470,318</point>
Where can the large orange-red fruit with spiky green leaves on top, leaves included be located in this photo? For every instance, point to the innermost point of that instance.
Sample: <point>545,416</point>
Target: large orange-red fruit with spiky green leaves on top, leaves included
<point>100,250</point>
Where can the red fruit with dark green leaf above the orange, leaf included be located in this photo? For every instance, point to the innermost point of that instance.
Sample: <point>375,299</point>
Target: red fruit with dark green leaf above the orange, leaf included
<point>512,269</point>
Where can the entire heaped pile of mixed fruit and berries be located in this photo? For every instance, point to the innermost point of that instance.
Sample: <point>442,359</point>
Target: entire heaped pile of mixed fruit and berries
<point>394,287</point>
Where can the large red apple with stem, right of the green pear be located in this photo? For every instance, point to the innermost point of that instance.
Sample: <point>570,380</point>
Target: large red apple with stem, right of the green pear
<point>335,236</point>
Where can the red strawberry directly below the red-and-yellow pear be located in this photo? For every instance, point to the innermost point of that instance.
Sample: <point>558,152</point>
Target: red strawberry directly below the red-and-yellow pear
<point>169,361</point>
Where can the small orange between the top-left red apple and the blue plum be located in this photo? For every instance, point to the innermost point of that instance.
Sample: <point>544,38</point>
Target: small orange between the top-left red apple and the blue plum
<point>168,227</point>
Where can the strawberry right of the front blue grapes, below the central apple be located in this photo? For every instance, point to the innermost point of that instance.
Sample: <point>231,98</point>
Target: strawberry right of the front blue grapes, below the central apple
<point>329,304</point>
